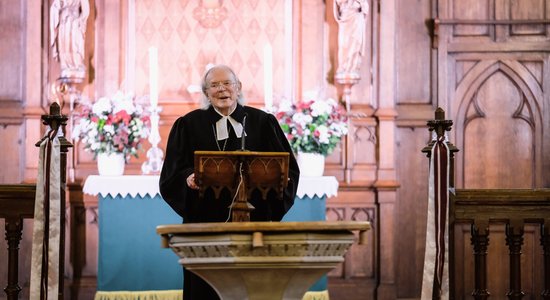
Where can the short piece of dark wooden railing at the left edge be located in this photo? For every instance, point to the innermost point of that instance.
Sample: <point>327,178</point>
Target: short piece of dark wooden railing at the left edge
<point>16,204</point>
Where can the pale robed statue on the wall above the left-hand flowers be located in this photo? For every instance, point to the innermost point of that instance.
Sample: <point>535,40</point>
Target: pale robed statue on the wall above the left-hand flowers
<point>67,30</point>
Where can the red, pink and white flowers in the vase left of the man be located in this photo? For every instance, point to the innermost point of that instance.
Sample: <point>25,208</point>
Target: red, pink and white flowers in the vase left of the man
<point>112,125</point>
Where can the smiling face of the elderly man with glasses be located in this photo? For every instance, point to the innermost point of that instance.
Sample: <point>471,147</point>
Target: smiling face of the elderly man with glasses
<point>222,90</point>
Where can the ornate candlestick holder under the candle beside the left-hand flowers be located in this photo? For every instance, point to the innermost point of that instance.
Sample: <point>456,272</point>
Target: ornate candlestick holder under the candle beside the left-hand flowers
<point>154,161</point>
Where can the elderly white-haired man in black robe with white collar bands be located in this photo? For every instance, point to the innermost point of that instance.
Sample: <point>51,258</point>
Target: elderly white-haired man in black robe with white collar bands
<point>218,127</point>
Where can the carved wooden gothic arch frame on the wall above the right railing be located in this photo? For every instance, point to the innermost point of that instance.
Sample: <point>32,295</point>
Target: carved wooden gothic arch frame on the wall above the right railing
<point>465,94</point>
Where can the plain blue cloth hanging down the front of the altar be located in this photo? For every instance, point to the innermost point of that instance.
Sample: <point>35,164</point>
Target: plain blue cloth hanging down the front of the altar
<point>130,256</point>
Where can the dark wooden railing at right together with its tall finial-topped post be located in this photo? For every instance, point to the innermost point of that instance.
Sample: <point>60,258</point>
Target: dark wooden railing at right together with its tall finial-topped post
<point>481,208</point>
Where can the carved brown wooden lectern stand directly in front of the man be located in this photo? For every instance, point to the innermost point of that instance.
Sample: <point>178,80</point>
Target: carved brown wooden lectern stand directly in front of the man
<point>242,173</point>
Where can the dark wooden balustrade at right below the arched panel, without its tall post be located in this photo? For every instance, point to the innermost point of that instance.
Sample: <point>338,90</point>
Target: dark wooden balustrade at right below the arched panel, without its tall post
<point>512,207</point>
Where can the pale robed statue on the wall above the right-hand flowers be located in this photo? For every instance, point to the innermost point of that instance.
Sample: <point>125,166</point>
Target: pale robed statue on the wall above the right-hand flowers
<point>351,18</point>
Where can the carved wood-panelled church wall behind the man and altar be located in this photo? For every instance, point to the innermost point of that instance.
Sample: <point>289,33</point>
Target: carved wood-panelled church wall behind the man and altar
<point>483,75</point>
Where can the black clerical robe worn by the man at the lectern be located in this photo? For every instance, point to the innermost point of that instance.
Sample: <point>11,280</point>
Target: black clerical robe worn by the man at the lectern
<point>197,131</point>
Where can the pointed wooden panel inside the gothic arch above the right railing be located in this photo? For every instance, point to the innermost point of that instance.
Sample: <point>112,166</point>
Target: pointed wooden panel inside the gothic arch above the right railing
<point>498,116</point>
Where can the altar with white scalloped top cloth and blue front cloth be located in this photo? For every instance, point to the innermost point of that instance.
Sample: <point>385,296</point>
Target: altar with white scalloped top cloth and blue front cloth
<point>130,208</point>
